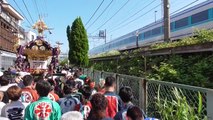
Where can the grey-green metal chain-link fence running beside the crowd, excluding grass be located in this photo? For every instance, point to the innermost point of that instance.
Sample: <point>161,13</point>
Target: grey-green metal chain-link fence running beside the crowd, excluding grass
<point>146,92</point>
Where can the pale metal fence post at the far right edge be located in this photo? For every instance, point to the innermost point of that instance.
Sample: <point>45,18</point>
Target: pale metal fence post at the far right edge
<point>209,104</point>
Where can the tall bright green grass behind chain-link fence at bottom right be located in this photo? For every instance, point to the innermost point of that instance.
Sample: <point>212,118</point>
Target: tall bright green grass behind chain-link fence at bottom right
<point>178,108</point>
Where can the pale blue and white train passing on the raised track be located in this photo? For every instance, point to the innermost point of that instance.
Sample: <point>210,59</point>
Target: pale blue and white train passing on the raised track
<point>182,24</point>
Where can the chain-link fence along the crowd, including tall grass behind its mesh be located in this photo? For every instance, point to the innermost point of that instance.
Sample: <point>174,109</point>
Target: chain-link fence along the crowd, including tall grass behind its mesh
<point>164,100</point>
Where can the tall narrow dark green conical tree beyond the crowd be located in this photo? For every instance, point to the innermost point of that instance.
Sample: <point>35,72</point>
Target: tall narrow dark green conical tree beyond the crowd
<point>78,43</point>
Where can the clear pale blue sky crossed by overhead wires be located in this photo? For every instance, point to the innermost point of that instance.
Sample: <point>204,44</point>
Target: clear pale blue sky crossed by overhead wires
<point>59,13</point>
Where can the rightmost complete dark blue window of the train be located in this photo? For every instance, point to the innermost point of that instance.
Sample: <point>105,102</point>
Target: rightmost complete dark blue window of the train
<point>199,17</point>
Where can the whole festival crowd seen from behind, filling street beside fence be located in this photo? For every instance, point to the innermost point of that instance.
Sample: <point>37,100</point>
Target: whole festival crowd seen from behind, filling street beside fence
<point>73,96</point>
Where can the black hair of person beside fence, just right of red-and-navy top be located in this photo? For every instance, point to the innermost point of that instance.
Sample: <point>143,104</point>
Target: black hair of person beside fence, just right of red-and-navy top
<point>126,94</point>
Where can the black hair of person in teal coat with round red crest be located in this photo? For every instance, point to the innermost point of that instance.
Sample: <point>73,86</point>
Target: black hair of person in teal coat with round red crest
<point>43,88</point>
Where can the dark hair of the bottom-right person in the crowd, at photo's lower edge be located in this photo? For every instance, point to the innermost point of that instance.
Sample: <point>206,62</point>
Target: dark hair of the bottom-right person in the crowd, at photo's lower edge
<point>135,113</point>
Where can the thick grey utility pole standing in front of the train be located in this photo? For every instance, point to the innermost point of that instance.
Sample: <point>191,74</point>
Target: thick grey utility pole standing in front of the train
<point>166,7</point>
